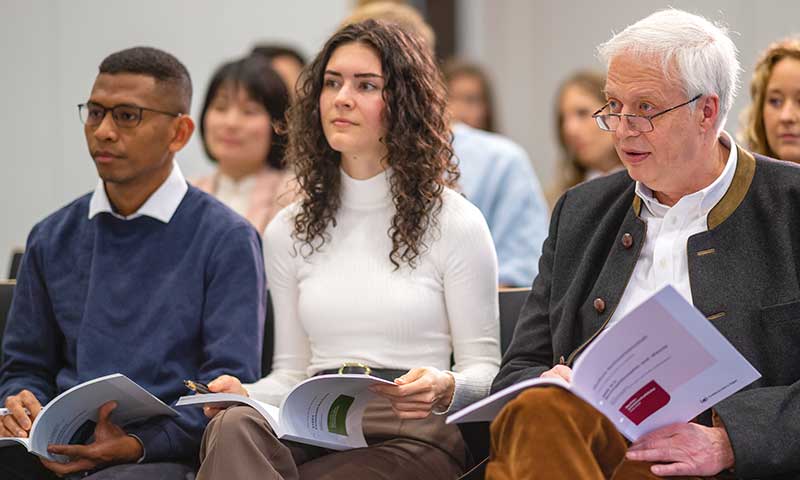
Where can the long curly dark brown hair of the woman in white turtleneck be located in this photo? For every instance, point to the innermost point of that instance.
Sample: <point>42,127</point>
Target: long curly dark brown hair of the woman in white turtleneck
<point>418,141</point>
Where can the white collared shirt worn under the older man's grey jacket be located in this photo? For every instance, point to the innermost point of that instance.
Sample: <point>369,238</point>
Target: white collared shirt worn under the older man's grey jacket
<point>663,260</point>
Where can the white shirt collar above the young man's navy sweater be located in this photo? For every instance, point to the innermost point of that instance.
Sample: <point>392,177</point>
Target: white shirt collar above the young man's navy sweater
<point>161,205</point>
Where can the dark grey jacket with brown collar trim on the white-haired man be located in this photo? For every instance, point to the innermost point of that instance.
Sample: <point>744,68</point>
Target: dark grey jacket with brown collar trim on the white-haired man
<point>745,277</point>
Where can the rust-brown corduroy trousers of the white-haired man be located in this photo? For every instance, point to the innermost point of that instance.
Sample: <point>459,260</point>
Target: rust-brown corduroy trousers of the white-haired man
<point>549,433</point>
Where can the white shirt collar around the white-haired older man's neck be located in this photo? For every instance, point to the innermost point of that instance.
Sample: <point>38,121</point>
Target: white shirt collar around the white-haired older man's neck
<point>704,200</point>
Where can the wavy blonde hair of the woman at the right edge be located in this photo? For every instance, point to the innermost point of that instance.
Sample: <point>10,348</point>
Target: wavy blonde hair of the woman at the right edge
<point>754,132</point>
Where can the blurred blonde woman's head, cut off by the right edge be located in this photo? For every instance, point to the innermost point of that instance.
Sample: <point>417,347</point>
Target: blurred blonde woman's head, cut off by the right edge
<point>772,122</point>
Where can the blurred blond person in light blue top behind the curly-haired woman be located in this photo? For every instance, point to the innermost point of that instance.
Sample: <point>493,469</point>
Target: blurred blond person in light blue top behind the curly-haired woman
<point>496,174</point>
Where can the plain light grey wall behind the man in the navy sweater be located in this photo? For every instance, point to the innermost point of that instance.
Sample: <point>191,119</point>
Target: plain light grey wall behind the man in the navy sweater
<point>49,53</point>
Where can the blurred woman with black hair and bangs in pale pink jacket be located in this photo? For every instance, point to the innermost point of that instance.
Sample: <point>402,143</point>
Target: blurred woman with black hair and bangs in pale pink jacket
<point>241,123</point>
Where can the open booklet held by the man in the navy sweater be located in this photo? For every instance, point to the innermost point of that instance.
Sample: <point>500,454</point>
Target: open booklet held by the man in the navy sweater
<point>72,415</point>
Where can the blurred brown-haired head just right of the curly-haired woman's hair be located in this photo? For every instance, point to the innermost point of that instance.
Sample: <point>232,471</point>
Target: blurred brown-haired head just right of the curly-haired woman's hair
<point>470,97</point>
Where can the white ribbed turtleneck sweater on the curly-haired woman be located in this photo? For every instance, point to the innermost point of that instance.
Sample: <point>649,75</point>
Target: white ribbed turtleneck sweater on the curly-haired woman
<point>347,303</point>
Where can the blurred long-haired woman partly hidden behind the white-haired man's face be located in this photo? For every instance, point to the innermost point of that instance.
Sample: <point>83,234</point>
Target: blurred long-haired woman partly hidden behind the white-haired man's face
<point>587,152</point>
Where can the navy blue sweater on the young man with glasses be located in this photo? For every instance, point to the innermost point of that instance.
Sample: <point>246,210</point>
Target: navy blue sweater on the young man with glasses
<point>157,302</point>
